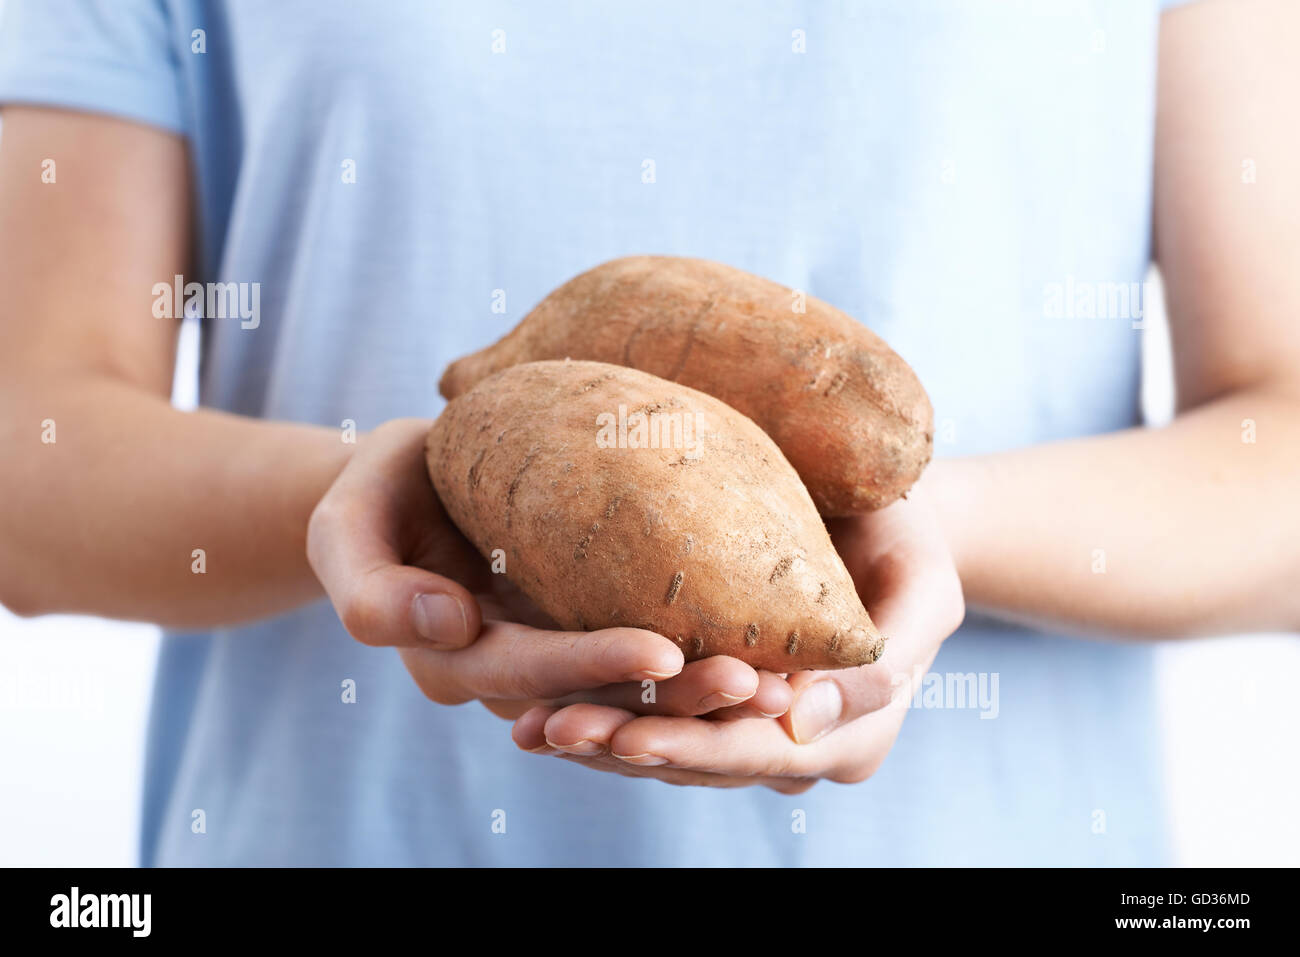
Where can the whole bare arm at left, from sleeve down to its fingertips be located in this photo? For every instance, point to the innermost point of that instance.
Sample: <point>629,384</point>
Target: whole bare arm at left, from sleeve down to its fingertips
<point>105,519</point>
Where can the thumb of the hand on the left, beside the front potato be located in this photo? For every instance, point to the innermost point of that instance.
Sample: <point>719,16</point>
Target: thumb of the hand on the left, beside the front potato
<point>379,600</point>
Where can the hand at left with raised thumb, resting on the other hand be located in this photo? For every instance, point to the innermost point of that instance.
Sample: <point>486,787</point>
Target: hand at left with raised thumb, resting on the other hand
<point>400,574</point>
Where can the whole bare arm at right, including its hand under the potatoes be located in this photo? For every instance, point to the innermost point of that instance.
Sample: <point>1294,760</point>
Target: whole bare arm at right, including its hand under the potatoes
<point>1201,530</point>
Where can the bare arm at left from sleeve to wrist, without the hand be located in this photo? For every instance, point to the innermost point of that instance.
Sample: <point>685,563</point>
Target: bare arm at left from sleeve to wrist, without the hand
<point>106,518</point>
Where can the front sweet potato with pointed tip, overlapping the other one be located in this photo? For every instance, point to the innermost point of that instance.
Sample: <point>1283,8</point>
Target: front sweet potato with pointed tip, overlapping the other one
<point>716,544</point>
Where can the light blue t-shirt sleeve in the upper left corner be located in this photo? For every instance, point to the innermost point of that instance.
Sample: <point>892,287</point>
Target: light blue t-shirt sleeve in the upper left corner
<point>105,57</point>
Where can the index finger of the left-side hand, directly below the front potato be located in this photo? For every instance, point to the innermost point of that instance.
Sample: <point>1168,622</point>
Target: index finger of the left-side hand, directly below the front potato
<point>514,661</point>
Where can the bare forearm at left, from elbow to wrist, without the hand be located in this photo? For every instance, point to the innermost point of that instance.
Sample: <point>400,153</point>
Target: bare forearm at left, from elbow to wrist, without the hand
<point>111,517</point>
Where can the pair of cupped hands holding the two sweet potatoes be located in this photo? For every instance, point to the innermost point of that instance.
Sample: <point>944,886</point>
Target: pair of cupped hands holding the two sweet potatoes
<point>625,700</point>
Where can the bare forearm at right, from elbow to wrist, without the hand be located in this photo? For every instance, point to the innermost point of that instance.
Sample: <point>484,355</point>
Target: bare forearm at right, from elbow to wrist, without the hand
<point>1149,532</point>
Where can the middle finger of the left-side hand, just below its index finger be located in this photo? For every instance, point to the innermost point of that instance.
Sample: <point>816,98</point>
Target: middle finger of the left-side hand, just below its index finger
<point>704,686</point>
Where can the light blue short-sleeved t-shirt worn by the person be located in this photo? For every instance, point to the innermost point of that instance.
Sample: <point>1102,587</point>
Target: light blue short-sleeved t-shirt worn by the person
<point>956,175</point>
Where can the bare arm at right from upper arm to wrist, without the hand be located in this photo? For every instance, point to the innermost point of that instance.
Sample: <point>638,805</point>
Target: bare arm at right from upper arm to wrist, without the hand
<point>1201,529</point>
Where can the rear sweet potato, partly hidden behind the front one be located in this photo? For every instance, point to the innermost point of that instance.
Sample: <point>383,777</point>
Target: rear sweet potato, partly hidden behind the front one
<point>850,414</point>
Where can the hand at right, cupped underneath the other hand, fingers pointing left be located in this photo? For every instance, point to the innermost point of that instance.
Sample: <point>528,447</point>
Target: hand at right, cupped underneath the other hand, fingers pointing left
<point>842,725</point>
